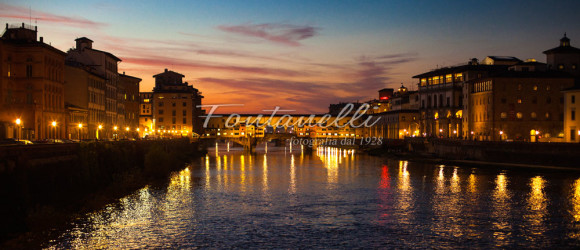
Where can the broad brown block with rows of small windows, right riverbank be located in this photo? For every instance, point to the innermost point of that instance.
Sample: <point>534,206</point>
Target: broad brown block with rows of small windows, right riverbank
<point>517,105</point>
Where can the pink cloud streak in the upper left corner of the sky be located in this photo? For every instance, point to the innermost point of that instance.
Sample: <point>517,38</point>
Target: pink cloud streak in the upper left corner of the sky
<point>17,12</point>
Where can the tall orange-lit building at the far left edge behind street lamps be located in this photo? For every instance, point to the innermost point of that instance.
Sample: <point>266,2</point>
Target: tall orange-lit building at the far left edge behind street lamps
<point>31,85</point>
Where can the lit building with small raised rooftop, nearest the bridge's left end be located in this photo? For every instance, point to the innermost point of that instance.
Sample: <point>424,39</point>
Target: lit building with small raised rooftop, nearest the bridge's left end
<point>175,106</point>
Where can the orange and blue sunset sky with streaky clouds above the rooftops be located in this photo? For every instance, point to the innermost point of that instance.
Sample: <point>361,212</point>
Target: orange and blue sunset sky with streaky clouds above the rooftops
<point>300,55</point>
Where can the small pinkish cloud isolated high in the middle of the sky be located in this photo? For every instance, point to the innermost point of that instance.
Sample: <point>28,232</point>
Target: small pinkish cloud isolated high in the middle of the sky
<point>286,34</point>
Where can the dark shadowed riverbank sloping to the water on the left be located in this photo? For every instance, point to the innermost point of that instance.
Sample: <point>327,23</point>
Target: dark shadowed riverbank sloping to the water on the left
<point>41,185</point>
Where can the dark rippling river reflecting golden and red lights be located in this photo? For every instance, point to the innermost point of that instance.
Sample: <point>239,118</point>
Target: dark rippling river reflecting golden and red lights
<point>337,199</point>
